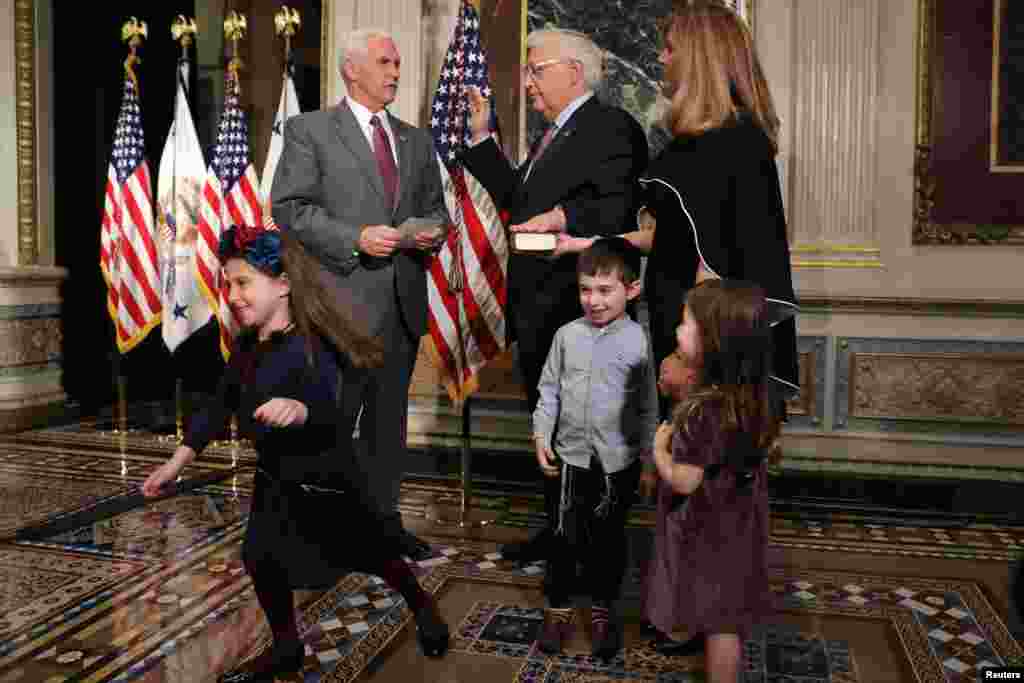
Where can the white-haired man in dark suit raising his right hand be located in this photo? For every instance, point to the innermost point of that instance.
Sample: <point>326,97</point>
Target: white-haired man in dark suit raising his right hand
<point>580,182</point>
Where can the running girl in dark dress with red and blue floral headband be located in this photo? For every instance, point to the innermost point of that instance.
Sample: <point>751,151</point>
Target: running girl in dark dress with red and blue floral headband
<point>282,382</point>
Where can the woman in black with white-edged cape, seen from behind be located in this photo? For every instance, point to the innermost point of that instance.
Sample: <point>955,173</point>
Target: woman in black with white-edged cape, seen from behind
<point>714,192</point>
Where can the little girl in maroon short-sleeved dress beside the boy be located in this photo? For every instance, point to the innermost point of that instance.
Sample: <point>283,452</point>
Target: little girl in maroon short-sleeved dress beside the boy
<point>708,574</point>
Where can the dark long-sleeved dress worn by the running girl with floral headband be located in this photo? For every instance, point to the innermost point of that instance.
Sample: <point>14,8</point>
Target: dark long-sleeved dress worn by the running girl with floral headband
<point>311,511</point>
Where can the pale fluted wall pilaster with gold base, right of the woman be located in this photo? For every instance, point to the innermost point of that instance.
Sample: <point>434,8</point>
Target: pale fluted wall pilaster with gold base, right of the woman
<point>833,129</point>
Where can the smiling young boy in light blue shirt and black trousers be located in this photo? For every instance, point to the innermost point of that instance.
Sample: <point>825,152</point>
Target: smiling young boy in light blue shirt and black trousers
<point>598,412</point>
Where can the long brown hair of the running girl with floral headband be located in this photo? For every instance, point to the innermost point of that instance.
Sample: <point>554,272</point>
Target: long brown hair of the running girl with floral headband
<point>315,312</point>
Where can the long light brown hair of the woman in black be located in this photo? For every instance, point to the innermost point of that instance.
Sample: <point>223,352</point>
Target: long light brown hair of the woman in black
<point>714,70</point>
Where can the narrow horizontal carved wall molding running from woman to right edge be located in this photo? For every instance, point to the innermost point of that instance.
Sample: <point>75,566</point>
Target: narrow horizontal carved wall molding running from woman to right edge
<point>810,302</point>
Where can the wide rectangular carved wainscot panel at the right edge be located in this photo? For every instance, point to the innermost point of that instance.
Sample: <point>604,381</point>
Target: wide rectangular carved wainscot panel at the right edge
<point>982,389</point>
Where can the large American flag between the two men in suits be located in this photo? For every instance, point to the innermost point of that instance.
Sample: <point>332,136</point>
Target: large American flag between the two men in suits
<point>466,286</point>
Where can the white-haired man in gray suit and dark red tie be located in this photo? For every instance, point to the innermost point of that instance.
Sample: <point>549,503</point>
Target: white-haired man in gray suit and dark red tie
<point>348,178</point>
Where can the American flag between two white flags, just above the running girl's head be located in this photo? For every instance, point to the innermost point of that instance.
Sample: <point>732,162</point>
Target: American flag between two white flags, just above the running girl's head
<point>231,197</point>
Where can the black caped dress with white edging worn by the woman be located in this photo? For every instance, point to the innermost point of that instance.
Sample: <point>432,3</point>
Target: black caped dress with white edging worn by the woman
<point>717,199</point>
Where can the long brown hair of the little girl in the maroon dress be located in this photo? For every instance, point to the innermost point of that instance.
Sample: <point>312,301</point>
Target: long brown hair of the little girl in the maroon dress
<point>731,317</point>
